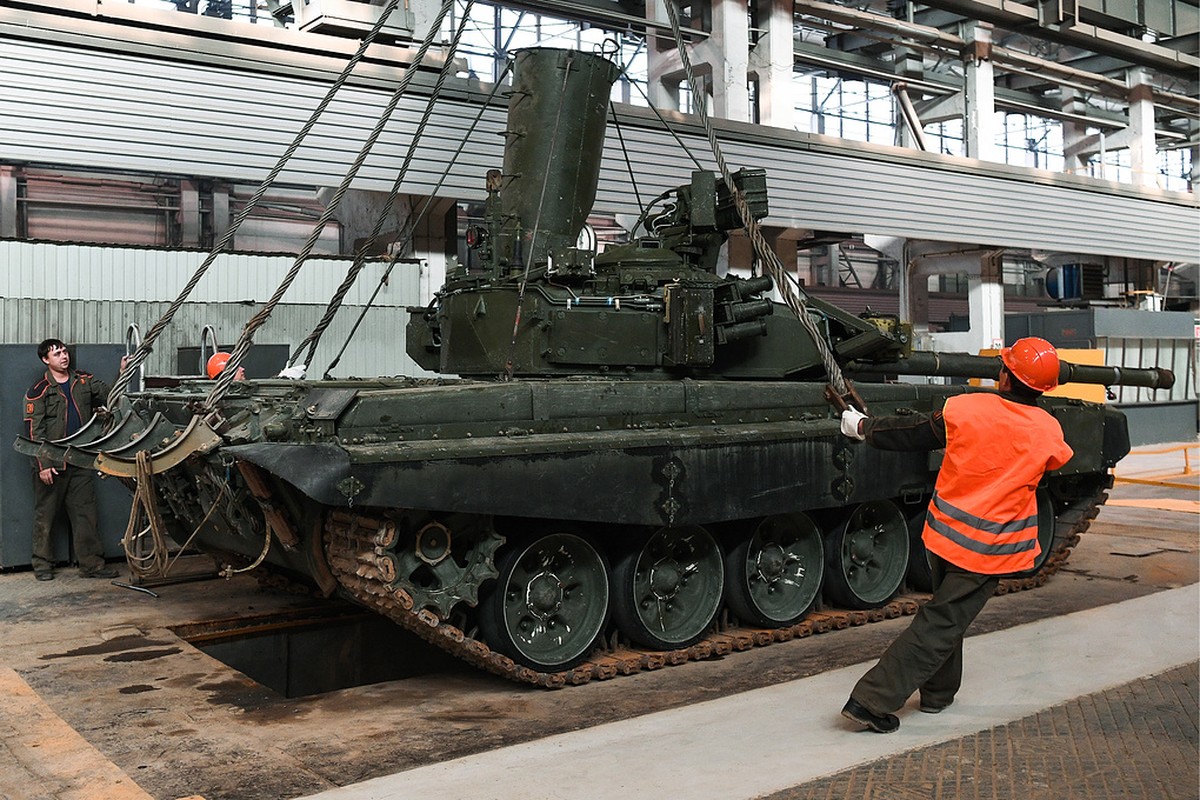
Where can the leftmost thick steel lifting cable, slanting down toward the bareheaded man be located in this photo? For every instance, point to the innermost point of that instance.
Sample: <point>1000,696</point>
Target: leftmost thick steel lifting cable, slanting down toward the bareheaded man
<point>147,345</point>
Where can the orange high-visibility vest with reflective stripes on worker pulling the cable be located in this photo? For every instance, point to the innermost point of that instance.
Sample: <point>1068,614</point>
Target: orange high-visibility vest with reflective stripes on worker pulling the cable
<point>985,513</point>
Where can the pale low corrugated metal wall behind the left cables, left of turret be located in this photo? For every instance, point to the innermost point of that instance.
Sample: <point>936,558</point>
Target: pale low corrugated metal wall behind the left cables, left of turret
<point>86,294</point>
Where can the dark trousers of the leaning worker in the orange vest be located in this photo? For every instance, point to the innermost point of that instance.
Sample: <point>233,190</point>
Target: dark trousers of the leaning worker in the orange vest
<point>928,657</point>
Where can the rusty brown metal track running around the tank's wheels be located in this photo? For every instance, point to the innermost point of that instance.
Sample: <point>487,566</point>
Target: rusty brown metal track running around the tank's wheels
<point>355,544</point>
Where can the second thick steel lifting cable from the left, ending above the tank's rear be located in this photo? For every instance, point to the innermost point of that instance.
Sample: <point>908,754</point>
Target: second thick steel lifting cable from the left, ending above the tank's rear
<point>248,335</point>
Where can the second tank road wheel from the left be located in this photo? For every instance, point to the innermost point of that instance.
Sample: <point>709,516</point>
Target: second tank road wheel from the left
<point>669,587</point>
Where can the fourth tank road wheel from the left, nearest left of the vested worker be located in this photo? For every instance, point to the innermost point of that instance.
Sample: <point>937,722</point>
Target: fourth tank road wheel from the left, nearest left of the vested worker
<point>867,556</point>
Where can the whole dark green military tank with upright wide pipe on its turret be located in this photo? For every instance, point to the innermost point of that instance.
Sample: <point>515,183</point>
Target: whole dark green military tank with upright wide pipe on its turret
<point>633,460</point>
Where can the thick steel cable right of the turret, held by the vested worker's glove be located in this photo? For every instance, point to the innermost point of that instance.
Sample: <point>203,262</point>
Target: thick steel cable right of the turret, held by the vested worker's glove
<point>765,252</point>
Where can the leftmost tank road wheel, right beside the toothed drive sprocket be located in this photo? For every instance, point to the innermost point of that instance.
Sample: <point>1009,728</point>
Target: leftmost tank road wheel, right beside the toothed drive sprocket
<point>550,604</point>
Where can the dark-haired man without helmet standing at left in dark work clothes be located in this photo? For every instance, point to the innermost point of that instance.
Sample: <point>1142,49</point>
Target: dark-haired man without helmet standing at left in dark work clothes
<point>56,407</point>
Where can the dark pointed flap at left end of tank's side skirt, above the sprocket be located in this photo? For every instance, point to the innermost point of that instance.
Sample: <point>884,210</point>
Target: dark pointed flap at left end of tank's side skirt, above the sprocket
<point>321,472</point>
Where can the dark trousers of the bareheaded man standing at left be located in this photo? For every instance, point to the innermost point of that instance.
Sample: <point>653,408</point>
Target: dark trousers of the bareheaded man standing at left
<point>74,490</point>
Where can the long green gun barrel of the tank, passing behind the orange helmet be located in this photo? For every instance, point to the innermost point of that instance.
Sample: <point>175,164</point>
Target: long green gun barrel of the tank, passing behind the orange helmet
<point>962,365</point>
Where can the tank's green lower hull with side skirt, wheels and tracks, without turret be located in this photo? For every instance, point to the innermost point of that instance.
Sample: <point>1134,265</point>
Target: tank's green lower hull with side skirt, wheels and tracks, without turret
<point>419,500</point>
